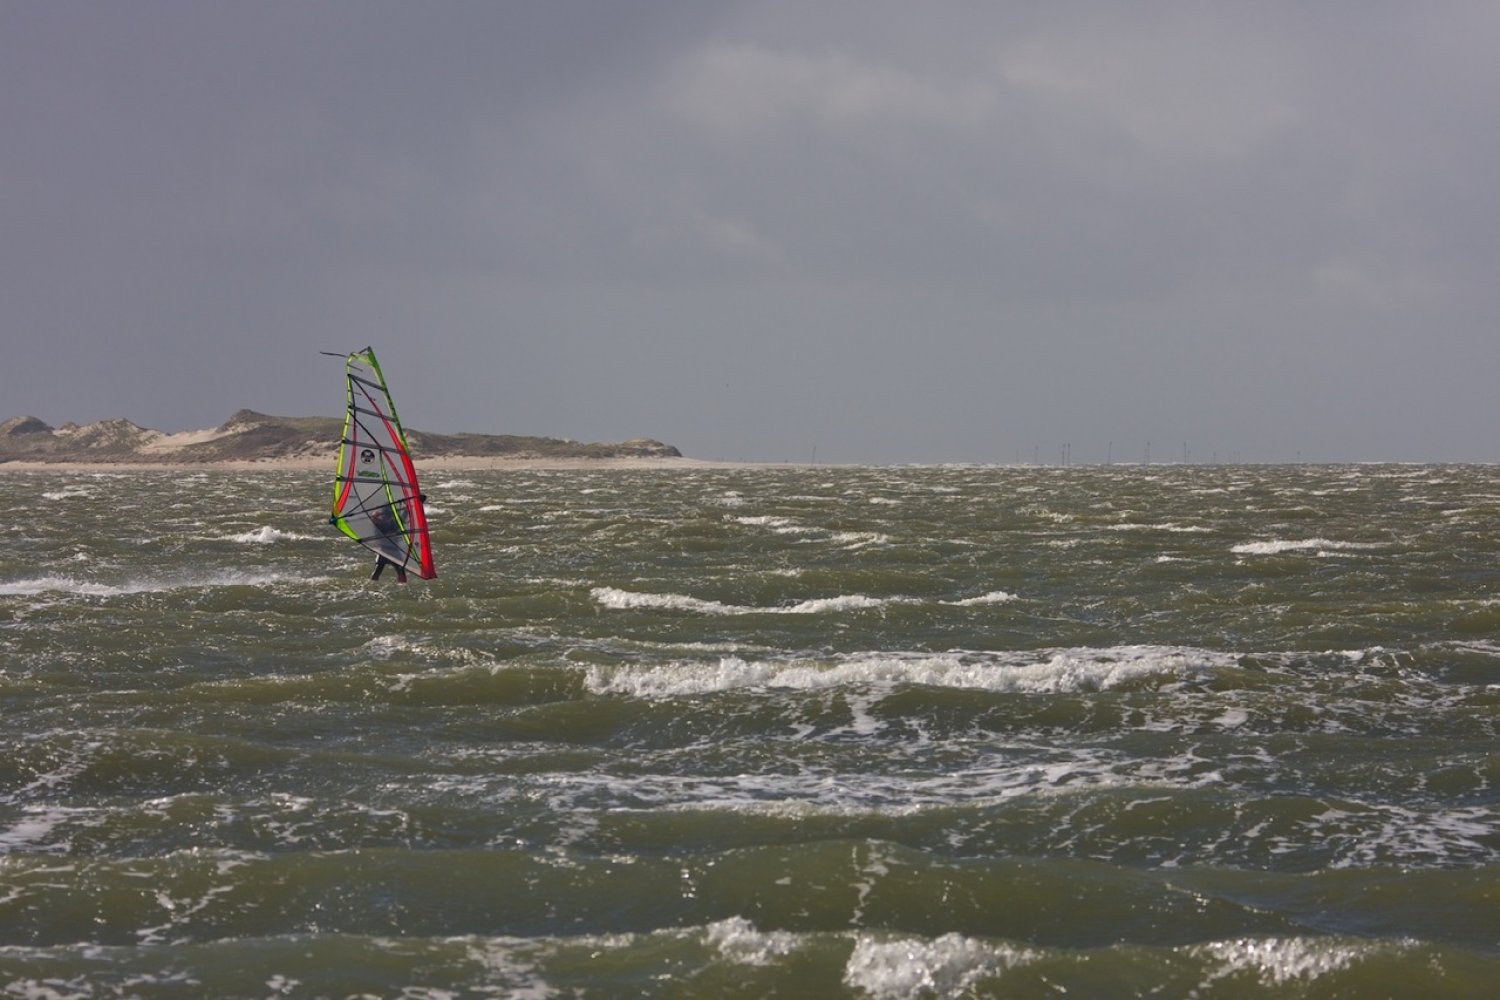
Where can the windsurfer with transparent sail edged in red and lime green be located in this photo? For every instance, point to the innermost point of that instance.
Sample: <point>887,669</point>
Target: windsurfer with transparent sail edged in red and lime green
<point>376,497</point>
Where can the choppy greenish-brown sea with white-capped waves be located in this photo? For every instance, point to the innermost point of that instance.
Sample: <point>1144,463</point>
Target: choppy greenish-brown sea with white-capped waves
<point>1171,731</point>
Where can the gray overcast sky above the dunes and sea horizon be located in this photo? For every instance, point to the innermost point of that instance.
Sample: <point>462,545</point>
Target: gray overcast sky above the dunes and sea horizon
<point>871,232</point>
